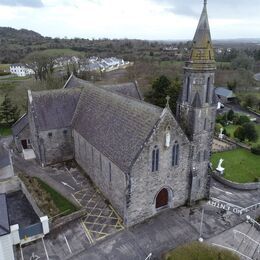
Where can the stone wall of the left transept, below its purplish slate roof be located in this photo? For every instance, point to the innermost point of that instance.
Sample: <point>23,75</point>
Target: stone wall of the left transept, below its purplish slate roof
<point>56,145</point>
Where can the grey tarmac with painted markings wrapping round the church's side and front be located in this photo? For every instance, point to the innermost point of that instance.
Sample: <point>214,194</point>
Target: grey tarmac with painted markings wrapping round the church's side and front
<point>100,234</point>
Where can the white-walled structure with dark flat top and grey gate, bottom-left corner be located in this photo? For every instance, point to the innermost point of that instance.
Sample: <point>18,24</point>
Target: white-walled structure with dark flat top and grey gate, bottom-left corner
<point>18,226</point>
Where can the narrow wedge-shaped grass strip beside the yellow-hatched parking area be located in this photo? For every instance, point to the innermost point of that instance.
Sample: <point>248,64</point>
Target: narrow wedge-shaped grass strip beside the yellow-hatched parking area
<point>62,203</point>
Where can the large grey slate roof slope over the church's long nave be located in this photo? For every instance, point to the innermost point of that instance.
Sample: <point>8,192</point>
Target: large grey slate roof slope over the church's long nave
<point>116,125</point>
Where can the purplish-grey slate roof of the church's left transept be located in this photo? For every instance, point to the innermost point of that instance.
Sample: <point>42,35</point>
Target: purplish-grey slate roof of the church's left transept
<point>54,109</point>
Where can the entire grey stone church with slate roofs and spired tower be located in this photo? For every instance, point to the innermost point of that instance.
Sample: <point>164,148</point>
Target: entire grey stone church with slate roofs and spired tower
<point>142,157</point>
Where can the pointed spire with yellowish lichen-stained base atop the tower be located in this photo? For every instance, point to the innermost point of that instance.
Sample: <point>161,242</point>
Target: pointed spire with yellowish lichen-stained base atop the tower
<point>202,49</point>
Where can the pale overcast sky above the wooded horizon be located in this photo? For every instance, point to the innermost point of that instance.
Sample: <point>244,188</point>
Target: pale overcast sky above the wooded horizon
<point>139,19</point>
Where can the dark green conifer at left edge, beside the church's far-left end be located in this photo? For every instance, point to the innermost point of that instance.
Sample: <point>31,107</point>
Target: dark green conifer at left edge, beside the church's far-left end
<point>9,113</point>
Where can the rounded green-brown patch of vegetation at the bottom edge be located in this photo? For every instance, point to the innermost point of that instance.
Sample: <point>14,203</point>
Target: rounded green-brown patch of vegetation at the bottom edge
<point>199,251</point>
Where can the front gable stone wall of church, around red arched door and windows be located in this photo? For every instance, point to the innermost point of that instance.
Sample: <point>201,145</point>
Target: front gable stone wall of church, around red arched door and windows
<point>145,184</point>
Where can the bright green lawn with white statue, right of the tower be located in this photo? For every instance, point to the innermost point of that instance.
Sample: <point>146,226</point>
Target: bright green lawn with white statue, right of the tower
<point>240,165</point>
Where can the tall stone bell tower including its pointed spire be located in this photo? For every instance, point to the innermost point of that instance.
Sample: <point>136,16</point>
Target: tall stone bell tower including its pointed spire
<point>196,107</point>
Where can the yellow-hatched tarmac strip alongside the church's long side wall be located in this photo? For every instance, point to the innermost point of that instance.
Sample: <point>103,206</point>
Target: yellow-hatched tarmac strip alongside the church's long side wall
<point>101,219</point>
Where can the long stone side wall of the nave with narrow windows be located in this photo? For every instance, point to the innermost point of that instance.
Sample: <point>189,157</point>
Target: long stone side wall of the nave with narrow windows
<point>98,166</point>
